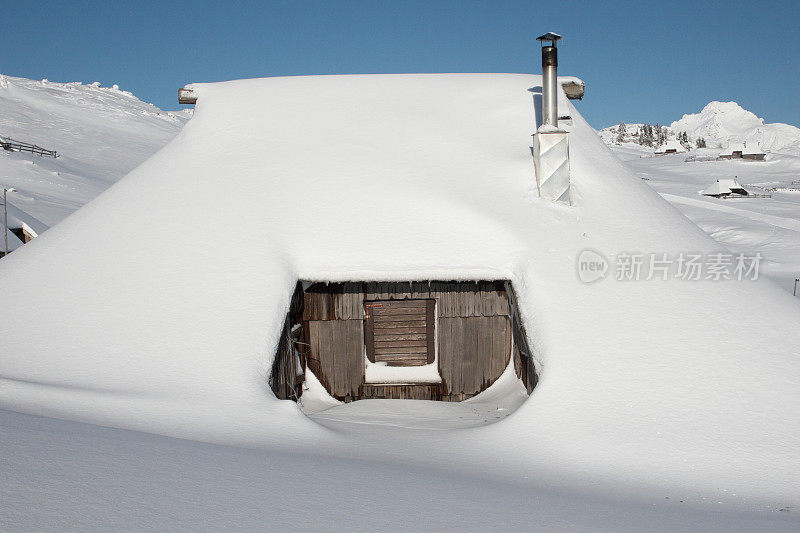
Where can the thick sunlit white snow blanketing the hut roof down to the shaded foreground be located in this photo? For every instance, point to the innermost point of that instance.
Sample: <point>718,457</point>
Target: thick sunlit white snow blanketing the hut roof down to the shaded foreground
<point>166,319</point>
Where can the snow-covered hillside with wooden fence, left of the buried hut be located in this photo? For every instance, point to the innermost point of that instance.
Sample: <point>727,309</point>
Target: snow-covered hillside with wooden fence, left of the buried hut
<point>100,133</point>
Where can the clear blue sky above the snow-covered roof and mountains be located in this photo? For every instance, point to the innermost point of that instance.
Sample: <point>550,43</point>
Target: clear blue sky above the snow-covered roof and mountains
<point>642,62</point>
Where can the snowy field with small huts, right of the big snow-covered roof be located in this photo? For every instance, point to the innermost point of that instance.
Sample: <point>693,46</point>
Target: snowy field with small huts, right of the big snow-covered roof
<point>769,226</point>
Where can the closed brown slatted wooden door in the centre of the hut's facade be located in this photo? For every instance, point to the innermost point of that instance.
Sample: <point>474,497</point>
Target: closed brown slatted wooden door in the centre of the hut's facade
<point>400,332</point>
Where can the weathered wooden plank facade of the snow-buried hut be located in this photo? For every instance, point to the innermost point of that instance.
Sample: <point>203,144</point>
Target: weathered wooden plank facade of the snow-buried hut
<point>470,330</point>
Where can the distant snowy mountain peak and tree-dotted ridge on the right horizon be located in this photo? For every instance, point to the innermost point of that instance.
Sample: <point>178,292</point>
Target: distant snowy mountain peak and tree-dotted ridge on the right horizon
<point>720,124</point>
